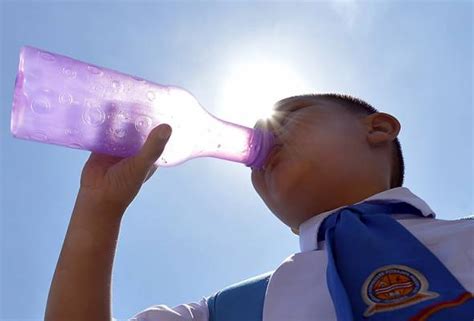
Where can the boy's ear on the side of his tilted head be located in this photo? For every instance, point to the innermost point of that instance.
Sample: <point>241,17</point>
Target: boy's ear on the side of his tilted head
<point>381,128</point>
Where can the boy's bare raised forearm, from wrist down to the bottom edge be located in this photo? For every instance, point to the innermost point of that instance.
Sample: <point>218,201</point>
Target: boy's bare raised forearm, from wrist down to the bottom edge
<point>81,286</point>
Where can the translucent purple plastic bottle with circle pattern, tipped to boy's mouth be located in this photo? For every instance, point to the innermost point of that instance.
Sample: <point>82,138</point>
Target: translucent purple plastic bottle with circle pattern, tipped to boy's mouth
<point>62,101</point>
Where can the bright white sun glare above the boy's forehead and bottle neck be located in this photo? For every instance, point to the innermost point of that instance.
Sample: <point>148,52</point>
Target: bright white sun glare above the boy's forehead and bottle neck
<point>251,89</point>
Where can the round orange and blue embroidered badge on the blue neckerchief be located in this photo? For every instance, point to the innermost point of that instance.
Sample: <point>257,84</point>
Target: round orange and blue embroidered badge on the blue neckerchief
<point>393,287</point>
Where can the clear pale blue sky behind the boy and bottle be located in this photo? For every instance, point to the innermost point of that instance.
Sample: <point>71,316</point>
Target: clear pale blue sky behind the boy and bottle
<point>200,226</point>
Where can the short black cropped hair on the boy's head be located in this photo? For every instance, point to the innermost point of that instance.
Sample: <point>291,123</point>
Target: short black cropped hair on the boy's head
<point>359,106</point>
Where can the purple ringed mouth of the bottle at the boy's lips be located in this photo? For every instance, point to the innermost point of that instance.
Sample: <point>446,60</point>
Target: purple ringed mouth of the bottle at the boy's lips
<point>261,144</point>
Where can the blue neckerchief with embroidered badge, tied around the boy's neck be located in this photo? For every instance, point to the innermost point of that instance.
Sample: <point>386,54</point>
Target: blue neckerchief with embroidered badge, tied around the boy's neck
<point>377,270</point>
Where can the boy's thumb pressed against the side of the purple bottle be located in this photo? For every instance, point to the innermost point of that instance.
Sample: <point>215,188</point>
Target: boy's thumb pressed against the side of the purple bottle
<point>153,147</point>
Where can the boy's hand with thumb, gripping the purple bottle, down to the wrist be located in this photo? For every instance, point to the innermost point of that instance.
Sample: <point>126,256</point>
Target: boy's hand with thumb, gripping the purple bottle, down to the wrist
<point>115,181</point>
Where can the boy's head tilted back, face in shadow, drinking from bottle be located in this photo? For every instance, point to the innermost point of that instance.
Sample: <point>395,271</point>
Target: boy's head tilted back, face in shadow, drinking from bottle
<point>335,150</point>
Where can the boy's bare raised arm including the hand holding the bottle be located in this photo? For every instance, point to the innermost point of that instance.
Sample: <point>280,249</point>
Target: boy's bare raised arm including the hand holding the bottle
<point>81,284</point>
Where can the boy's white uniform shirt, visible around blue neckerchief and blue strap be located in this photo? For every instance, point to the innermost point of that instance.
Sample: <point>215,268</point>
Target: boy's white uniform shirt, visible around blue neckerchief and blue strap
<point>298,290</point>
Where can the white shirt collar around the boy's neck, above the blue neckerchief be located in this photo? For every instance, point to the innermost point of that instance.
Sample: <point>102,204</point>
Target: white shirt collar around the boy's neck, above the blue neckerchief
<point>308,230</point>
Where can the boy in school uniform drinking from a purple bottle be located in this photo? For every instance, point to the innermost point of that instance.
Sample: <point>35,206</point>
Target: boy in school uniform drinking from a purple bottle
<point>334,175</point>
